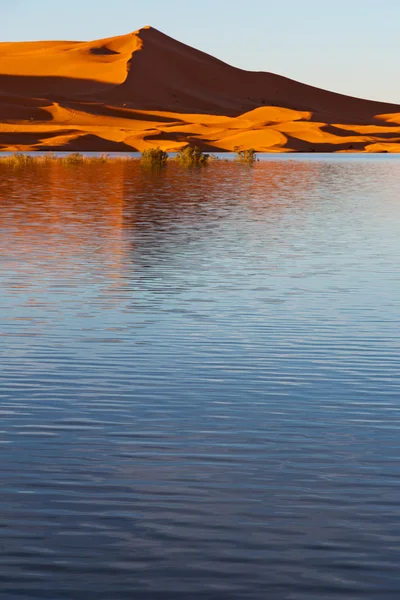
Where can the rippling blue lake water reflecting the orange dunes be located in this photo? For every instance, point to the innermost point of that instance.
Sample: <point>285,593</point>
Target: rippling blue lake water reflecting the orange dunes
<point>200,381</point>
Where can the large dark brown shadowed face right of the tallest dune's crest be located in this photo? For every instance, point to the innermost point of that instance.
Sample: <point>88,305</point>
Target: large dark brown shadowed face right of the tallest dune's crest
<point>176,77</point>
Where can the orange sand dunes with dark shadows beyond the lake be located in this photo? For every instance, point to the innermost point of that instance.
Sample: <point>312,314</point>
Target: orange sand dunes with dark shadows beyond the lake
<point>145,89</point>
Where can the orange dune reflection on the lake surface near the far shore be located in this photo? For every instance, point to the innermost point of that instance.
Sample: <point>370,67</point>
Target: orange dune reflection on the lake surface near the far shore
<point>88,218</point>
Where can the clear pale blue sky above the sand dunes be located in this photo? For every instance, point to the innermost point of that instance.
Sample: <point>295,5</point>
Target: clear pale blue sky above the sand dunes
<point>349,46</point>
